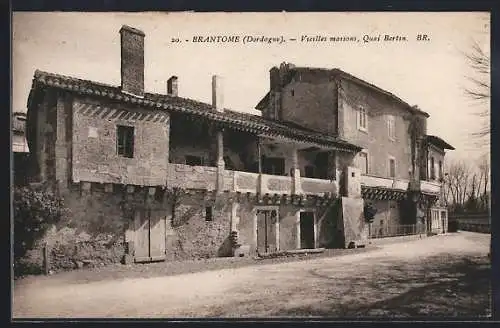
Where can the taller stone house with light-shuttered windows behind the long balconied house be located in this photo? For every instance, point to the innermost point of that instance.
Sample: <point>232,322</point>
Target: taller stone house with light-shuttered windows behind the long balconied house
<point>400,165</point>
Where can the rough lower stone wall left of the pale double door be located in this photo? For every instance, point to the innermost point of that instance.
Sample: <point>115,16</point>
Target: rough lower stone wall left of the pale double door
<point>92,233</point>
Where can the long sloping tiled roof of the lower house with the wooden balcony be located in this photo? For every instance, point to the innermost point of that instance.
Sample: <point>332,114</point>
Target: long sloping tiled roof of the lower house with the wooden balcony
<point>237,120</point>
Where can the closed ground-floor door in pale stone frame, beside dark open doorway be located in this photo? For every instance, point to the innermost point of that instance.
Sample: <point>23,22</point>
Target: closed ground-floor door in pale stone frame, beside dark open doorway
<point>267,221</point>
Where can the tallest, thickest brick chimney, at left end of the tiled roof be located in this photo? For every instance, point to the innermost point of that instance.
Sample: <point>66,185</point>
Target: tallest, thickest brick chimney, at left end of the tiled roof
<point>132,60</point>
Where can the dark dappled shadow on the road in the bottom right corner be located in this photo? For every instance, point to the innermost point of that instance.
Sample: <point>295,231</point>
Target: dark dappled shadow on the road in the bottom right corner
<point>442,286</point>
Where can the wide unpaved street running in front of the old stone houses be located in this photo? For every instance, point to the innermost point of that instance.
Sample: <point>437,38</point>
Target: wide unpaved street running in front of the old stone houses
<point>446,275</point>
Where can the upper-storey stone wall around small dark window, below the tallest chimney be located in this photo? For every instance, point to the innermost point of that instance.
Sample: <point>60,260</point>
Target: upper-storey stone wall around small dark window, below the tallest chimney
<point>94,144</point>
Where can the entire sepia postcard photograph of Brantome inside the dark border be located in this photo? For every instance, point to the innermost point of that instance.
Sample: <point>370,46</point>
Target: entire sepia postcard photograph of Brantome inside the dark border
<point>251,165</point>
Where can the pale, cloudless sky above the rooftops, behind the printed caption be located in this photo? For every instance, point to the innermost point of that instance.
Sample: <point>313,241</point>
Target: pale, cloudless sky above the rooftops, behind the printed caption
<point>430,74</point>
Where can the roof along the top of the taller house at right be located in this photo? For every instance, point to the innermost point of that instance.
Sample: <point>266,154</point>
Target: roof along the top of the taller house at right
<point>342,74</point>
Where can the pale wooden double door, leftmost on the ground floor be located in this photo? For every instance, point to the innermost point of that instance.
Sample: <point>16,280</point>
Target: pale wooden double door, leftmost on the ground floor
<point>150,230</point>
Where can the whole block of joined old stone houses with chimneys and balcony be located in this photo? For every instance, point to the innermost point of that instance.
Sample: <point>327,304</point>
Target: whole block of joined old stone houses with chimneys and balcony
<point>165,177</point>
